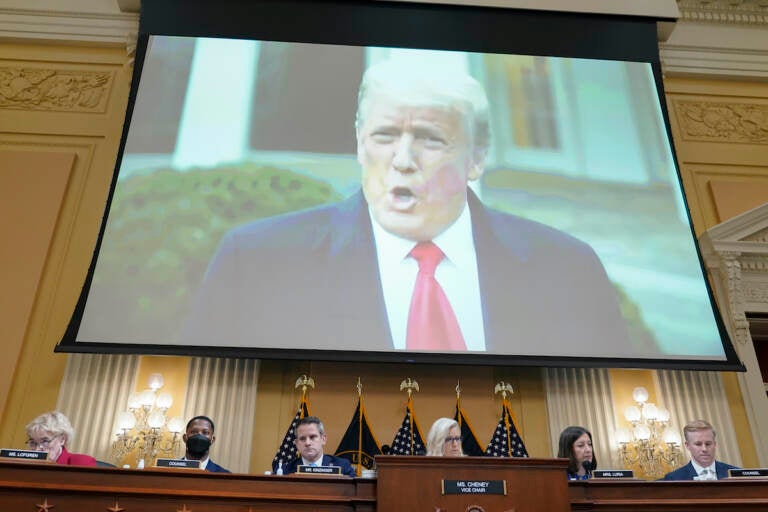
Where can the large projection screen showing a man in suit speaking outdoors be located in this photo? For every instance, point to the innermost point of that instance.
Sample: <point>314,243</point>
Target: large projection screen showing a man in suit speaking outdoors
<point>259,210</point>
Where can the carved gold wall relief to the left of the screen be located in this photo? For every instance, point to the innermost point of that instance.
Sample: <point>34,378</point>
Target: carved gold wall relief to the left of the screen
<point>54,89</point>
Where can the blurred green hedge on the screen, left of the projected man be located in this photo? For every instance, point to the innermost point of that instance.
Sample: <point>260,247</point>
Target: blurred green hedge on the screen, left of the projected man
<point>165,226</point>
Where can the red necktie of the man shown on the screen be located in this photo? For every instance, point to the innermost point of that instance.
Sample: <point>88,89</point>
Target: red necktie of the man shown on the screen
<point>431,322</point>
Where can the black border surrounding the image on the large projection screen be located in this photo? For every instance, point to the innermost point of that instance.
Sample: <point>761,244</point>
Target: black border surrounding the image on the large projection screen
<point>407,25</point>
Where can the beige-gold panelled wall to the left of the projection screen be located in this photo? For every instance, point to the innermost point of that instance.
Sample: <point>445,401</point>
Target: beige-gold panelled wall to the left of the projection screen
<point>64,148</point>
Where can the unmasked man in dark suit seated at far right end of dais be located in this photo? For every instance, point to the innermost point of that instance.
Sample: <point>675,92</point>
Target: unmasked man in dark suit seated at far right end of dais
<point>700,442</point>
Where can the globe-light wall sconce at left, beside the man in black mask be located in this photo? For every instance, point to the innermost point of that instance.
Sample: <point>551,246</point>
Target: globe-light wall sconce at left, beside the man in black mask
<point>143,429</point>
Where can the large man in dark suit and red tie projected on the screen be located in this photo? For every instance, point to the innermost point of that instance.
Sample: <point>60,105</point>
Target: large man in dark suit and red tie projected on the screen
<point>414,261</point>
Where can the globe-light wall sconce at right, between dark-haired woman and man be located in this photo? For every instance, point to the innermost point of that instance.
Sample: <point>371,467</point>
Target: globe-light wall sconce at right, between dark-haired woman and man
<point>650,444</point>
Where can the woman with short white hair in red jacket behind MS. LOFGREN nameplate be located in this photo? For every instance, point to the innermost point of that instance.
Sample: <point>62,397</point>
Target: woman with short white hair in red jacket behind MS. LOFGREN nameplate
<point>49,433</point>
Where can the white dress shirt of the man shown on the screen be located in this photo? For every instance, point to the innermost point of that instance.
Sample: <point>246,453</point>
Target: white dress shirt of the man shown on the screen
<point>456,273</point>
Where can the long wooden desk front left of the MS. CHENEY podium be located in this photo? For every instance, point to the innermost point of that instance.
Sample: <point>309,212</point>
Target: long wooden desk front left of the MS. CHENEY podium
<point>81,489</point>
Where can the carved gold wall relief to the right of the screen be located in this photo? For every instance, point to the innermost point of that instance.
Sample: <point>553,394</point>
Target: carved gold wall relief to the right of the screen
<point>726,122</point>
